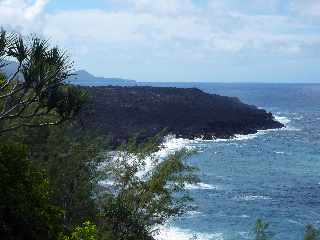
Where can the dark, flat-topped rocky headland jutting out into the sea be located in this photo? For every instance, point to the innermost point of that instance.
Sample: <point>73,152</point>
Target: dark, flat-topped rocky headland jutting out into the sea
<point>121,112</point>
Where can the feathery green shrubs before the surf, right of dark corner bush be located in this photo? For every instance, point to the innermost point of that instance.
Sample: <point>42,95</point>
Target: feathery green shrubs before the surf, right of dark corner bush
<point>133,206</point>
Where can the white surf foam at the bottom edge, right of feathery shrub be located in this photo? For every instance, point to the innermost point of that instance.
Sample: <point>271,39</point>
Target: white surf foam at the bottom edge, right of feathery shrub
<point>174,233</point>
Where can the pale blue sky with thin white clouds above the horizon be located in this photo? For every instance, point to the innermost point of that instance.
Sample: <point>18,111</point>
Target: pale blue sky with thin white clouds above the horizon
<point>179,40</point>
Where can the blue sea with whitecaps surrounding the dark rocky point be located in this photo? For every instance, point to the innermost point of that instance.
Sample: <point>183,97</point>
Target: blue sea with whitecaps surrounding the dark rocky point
<point>273,175</point>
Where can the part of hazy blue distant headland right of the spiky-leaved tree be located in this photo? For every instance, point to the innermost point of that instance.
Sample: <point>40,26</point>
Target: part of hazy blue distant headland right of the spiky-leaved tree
<point>84,78</point>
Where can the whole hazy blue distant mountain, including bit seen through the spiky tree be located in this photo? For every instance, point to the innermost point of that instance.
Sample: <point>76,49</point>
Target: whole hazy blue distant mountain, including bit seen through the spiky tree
<point>81,77</point>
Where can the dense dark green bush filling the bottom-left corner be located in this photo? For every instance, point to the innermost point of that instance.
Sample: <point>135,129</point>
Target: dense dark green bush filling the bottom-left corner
<point>25,208</point>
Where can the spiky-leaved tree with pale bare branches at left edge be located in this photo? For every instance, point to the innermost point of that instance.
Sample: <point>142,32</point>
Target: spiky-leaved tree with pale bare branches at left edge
<point>36,93</point>
